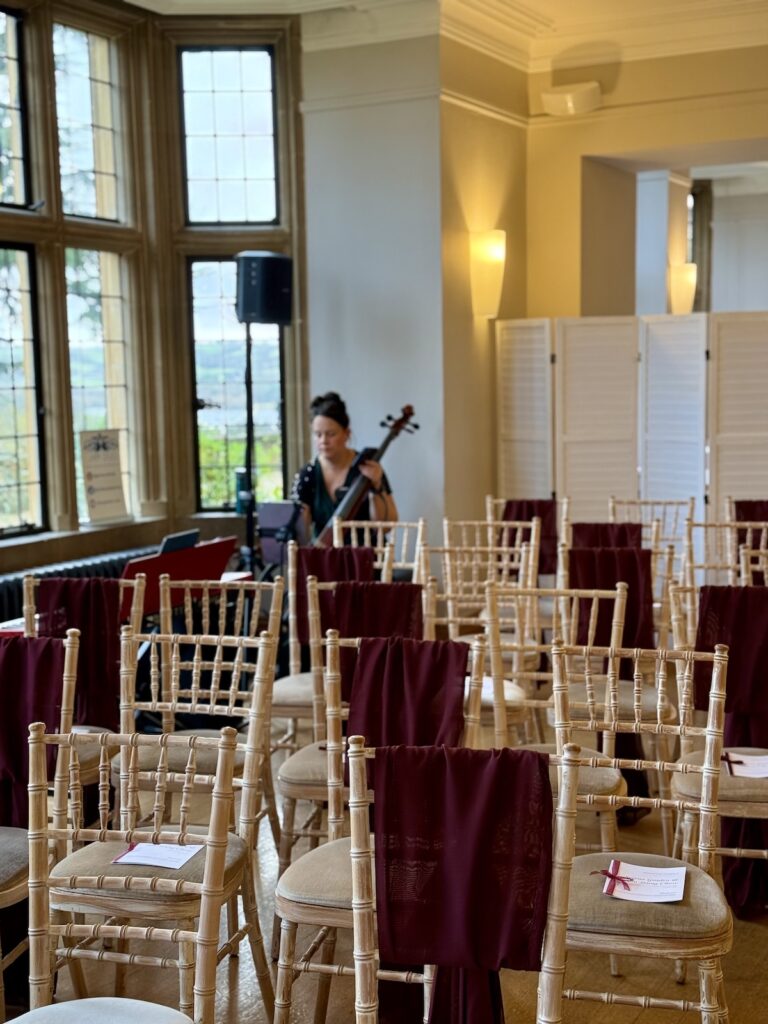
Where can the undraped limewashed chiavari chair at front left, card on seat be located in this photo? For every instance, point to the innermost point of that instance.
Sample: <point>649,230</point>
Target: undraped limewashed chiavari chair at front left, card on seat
<point>137,902</point>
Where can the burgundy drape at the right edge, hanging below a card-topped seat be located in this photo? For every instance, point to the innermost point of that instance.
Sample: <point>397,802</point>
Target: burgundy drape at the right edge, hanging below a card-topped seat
<point>739,617</point>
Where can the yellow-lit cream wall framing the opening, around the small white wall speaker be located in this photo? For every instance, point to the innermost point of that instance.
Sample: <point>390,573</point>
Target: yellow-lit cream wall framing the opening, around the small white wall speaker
<point>656,113</point>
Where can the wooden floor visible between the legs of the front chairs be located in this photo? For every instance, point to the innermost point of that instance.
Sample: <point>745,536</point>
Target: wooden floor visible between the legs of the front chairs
<point>239,1003</point>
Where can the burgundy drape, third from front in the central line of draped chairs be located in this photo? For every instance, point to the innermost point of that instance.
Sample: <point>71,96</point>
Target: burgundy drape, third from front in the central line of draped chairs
<point>375,610</point>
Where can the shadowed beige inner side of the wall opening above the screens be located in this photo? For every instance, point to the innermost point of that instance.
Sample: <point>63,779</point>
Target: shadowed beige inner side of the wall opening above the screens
<point>609,246</point>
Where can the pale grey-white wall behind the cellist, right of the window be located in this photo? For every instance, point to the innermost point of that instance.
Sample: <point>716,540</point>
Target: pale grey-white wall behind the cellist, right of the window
<point>373,231</point>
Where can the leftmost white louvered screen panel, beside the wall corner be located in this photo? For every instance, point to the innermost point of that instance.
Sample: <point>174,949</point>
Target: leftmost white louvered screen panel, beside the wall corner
<point>525,408</point>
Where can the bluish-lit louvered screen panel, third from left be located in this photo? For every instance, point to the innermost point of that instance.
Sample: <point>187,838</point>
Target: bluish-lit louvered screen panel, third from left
<point>673,404</point>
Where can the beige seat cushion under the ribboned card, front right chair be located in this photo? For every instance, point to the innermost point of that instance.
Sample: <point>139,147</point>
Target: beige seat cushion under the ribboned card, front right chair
<point>702,913</point>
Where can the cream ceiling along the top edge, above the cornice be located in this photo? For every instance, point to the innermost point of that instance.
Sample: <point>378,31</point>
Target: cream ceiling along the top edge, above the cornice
<point>536,35</point>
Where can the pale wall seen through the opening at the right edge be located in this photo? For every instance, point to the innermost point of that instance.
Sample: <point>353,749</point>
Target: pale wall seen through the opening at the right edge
<point>740,252</point>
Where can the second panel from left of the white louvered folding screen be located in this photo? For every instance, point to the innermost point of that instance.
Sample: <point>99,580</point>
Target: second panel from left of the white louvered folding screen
<point>596,413</point>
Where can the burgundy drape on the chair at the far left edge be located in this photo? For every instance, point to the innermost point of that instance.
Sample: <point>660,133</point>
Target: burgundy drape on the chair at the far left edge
<point>32,670</point>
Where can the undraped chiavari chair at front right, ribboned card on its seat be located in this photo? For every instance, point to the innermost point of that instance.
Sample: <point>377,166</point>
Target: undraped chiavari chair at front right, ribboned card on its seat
<point>698,929</point>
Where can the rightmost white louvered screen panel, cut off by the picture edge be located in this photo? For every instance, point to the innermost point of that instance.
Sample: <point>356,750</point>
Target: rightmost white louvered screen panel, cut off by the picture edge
<point>738,408</point>
